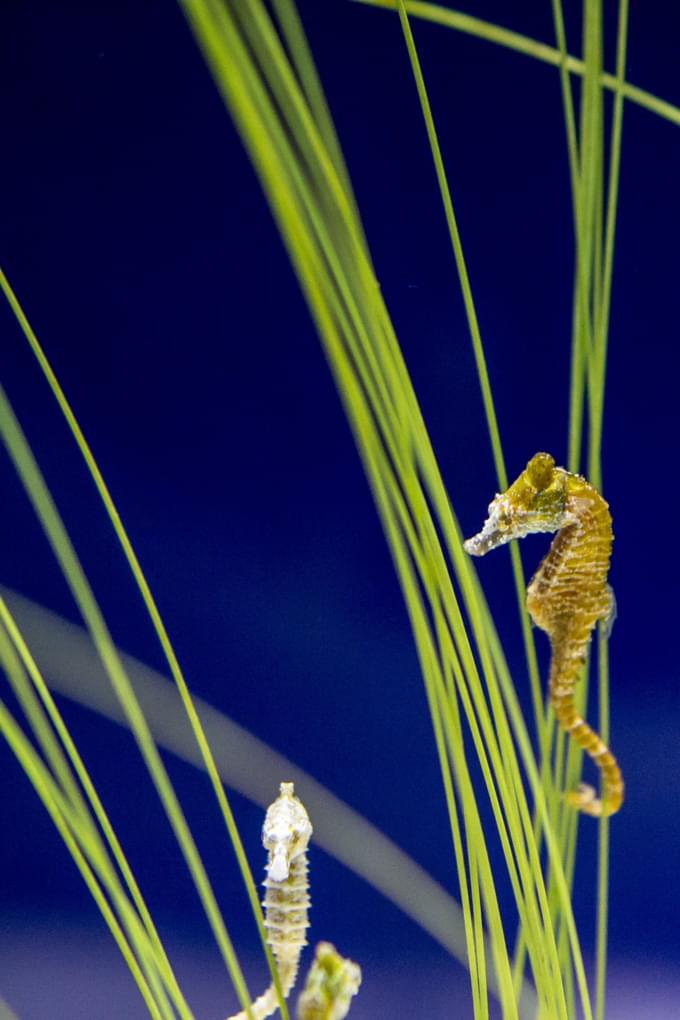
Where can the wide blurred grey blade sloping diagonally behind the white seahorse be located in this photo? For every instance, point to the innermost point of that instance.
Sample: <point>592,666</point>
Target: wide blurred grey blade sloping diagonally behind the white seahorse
<point>71,666</point>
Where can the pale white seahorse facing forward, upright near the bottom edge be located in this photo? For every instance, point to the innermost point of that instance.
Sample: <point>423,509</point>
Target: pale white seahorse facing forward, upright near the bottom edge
<point>286,835</point>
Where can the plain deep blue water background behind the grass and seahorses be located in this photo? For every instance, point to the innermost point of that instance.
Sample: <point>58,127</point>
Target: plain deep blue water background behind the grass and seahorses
<point>135,234</point>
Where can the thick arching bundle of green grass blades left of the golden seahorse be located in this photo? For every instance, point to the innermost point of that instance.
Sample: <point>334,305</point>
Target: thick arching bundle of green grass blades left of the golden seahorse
<point>396,457</point>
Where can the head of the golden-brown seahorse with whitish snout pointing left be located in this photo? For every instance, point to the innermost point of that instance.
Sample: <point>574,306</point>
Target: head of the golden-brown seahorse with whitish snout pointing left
<point>535,502</point>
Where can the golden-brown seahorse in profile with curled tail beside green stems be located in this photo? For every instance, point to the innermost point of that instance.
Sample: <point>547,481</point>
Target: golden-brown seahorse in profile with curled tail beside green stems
<point>567,596</point>
